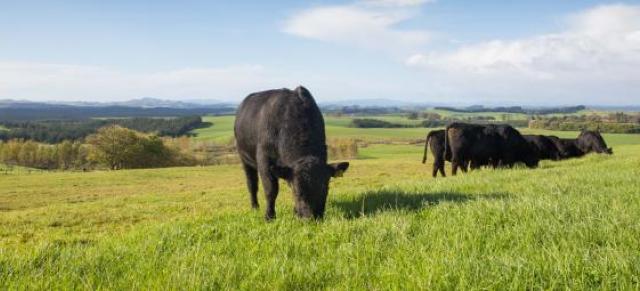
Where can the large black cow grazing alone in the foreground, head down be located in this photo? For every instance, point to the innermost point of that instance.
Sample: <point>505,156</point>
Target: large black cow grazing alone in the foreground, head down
<point>280,134</point>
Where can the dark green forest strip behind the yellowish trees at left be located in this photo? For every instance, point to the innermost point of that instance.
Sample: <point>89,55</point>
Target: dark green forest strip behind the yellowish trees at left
<point>56,131</point>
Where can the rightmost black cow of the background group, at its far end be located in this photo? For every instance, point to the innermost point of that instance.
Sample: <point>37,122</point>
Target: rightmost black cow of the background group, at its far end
<point>587,142</point>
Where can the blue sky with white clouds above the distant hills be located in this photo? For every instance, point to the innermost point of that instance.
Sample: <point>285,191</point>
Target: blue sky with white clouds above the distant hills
<point>543,52</point>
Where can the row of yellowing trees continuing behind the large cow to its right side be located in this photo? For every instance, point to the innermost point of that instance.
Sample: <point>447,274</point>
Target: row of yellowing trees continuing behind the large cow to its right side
<point>114,148</point>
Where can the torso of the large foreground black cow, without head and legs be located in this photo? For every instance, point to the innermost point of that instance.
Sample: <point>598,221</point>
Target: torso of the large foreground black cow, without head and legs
<point>287,124</point>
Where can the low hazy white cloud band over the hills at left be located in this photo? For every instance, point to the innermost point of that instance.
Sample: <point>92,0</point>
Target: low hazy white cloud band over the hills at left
<point>38,81</point>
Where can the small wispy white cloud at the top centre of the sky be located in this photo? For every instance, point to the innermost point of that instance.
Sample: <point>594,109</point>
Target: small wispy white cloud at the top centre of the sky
<point>369,24</point>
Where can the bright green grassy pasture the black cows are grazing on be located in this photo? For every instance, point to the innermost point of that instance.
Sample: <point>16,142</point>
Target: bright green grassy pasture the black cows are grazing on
<point>567,225</point>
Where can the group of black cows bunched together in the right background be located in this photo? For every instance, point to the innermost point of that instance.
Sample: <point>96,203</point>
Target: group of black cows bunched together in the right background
<point>498,145</point>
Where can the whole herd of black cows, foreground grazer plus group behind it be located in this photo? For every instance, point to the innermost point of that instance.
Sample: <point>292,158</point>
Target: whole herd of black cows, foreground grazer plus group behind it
<point>280,135</point>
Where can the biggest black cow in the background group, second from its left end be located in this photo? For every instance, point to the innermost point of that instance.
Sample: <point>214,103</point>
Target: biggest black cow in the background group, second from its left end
<point>487,145</point>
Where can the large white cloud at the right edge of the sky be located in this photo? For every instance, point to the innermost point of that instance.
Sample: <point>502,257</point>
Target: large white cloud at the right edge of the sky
<point>602,43</point>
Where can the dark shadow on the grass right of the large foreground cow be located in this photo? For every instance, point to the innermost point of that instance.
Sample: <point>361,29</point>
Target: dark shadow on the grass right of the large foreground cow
<point>370,203</point>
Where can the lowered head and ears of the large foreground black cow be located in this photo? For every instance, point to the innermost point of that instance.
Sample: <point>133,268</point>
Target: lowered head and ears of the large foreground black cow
<point>309,179</point>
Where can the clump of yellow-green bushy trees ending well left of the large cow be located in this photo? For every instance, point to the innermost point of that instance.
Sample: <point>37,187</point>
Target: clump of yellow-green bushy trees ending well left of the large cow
<point>111,147</point>
